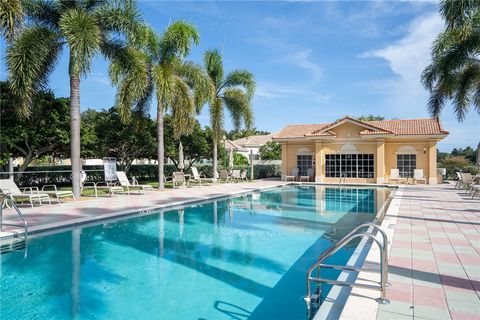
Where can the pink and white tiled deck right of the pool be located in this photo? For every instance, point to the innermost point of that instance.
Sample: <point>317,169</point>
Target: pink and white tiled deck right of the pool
<point>434,261</point>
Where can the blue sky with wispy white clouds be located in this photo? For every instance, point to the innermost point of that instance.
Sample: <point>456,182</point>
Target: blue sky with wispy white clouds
<point>314,62</point>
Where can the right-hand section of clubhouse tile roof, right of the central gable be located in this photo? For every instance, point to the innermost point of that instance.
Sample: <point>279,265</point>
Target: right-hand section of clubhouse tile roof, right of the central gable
<point>410,127</point>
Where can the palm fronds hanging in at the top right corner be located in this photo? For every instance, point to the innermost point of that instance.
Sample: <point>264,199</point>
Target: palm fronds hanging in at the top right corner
<point>454,73</point>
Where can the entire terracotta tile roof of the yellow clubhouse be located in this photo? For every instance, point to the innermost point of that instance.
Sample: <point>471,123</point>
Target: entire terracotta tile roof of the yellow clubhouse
<point>384,127</point>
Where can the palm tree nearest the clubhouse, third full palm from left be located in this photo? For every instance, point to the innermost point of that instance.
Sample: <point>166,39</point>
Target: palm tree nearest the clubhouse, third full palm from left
<point>233,91</point>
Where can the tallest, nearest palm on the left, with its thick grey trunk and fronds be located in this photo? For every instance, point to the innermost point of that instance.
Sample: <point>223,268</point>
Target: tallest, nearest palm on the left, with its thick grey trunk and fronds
<point>85,27</point>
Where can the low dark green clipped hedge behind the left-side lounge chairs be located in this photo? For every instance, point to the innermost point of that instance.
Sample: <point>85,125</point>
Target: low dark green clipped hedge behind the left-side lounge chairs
<point>60,175</point>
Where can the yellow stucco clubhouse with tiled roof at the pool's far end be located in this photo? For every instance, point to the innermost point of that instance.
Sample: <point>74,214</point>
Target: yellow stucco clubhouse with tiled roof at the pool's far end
<point>362,152</point>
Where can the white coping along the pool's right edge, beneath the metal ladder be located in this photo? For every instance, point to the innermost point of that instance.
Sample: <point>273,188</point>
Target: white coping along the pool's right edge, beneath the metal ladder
<point>338,303</point>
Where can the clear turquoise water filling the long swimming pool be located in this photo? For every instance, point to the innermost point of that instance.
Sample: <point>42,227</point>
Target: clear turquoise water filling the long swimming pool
<point>237,258</point>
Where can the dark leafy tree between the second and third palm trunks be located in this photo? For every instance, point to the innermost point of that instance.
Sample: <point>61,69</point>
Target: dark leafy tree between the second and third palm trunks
<point>196,146</point>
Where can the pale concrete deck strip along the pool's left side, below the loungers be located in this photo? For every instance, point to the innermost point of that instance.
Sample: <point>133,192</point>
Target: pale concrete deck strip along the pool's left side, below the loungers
<point>93,209</point>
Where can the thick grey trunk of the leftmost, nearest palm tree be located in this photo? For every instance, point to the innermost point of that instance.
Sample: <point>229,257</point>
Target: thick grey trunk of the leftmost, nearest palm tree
<point>75,133</point>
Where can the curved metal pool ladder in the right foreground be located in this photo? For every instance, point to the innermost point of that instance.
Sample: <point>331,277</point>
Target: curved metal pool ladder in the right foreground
<point>313,299</point>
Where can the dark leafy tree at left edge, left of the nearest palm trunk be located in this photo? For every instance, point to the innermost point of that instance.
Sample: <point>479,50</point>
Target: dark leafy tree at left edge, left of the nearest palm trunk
<point>46,131</point>
